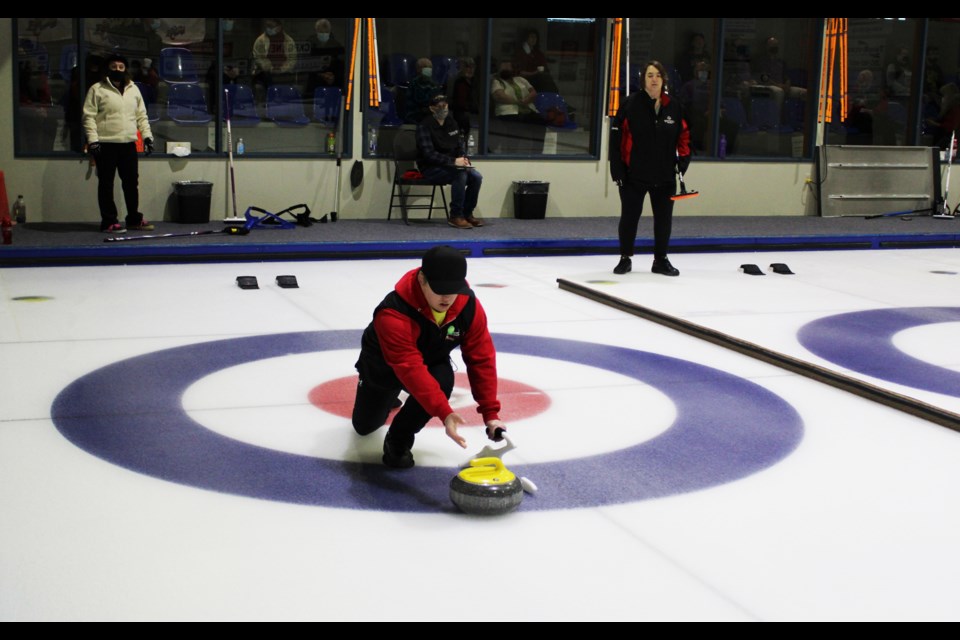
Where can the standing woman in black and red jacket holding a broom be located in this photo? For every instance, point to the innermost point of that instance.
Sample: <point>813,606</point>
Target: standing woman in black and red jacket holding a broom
<point>649,143</point>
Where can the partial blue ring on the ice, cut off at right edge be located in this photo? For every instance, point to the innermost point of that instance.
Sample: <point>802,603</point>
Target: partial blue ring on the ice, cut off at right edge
<point>862,341</point>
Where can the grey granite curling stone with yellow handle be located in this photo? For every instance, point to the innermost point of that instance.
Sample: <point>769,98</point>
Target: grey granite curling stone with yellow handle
<point>486,488</point>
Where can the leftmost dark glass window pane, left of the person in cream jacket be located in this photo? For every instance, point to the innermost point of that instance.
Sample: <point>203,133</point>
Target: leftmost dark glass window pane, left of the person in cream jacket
<point>48,90</point>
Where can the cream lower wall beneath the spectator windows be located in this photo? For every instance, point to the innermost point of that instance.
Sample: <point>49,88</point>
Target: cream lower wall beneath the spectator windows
<point>65,190</point>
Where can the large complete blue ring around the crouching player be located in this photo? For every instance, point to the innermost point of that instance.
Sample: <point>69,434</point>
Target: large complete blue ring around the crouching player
<point>130,413</point>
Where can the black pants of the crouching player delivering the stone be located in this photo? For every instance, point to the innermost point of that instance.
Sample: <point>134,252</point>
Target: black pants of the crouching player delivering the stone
<point>373,405</point>
